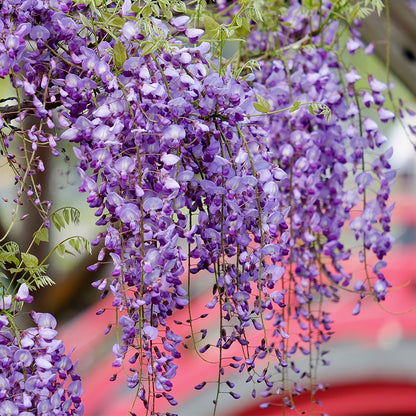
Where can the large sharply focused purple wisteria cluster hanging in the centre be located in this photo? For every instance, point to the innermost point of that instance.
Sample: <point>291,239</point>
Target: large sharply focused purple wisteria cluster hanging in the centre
<point>169,165</point>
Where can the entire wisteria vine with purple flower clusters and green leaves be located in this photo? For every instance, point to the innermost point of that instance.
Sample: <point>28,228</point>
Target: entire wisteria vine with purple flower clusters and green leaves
<point>243,170</point>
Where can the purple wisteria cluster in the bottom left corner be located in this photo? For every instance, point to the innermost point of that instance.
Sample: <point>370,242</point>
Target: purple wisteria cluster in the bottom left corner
<point>36,377</point>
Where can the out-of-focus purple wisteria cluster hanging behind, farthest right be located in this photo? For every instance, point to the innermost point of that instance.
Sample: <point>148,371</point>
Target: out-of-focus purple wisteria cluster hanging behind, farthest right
<point>328,174</point>
